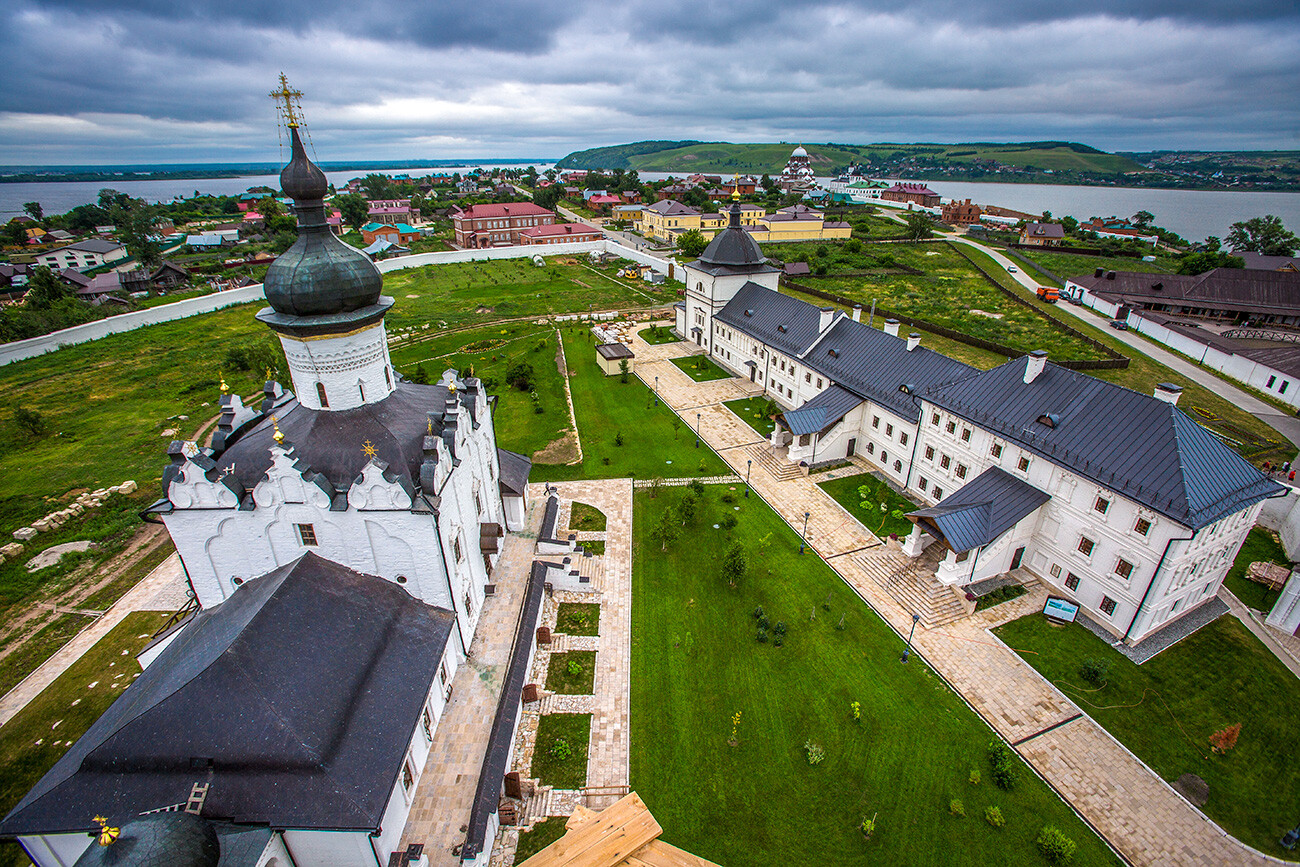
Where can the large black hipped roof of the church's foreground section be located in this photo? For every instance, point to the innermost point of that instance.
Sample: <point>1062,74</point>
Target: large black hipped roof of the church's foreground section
<point>296,700</point>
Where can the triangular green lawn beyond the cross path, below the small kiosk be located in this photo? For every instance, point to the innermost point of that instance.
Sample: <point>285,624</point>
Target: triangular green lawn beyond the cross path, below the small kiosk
<point>606,409</point>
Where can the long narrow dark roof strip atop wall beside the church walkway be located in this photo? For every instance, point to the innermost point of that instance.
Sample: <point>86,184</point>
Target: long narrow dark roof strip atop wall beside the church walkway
<point>497,760</point>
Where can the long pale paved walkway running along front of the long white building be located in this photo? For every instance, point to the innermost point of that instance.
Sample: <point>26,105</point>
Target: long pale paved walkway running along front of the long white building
<point>1141,816</point>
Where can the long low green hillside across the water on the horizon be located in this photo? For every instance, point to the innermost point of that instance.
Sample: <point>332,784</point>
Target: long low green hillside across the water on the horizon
<point>829,159</point>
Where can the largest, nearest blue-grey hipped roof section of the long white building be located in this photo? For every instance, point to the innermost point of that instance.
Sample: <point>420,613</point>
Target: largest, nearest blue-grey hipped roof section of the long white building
<point>1129,443</point>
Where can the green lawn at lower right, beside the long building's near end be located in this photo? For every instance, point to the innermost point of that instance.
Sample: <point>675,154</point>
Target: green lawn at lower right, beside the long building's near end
<point>1167,710</point>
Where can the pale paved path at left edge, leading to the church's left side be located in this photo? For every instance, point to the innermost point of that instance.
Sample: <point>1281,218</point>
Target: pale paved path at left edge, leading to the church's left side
<point>163,589</point>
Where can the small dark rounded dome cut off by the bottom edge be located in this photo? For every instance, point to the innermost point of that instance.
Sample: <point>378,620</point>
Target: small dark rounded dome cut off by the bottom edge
<point>161,840</point>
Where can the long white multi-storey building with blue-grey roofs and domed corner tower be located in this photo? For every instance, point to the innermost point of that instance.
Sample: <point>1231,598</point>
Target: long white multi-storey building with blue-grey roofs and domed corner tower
<point>1117,500</point>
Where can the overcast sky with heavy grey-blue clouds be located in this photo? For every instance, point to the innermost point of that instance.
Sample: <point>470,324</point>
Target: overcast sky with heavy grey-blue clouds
<point>176,81</point>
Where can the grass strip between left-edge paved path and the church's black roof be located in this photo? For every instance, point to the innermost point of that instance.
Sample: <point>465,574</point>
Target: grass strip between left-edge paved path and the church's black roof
<point>64,712</point>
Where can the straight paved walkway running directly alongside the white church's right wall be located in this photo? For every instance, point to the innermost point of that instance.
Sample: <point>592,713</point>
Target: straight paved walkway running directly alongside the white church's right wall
<point>445,794</point>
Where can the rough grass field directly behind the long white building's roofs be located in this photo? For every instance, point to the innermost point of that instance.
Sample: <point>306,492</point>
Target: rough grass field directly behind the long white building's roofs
<point>951,293</point>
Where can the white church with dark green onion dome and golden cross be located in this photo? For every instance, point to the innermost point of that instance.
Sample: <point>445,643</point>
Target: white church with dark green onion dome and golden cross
<point>340,539</point>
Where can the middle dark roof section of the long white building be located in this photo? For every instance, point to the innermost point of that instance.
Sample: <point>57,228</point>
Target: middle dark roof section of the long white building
<point>874,365</point>
